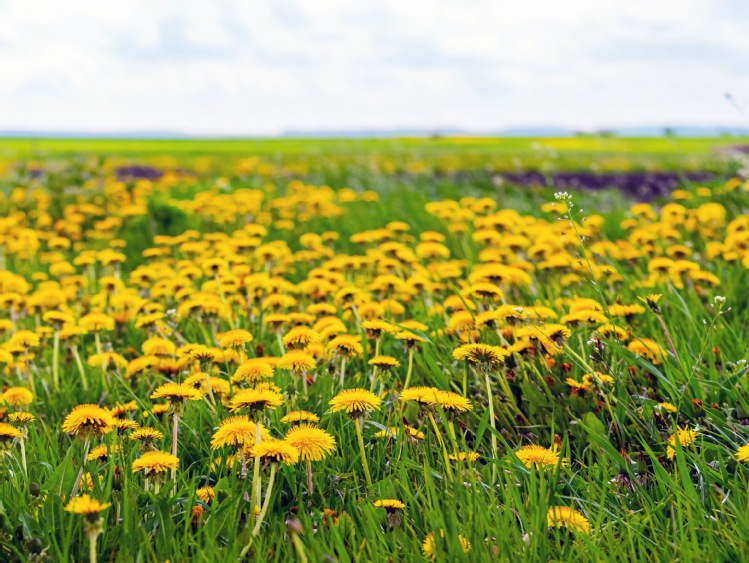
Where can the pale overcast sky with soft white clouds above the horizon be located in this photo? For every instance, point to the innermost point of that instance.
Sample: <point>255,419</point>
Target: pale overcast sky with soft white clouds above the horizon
<point>262,67</point>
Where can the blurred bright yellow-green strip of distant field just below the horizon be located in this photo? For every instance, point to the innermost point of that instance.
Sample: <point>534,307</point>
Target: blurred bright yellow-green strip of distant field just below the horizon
<point>341,160</point>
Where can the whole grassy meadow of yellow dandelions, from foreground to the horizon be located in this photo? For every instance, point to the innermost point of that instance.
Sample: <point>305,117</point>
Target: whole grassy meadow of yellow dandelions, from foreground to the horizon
<point>440,350</point>
